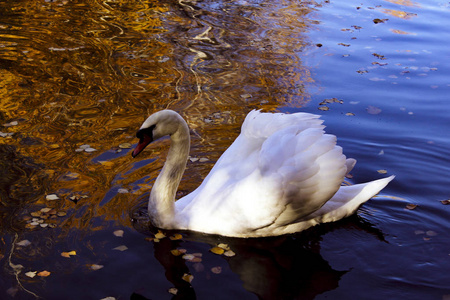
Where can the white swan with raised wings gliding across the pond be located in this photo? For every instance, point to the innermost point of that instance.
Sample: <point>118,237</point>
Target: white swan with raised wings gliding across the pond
<point>281,175</point>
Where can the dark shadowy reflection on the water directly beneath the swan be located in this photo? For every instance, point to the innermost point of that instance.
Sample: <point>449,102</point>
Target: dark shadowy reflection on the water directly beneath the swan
<point>284,267</point>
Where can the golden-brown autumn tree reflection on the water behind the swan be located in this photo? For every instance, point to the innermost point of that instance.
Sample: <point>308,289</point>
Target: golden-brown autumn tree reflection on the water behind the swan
<point>88,73</point>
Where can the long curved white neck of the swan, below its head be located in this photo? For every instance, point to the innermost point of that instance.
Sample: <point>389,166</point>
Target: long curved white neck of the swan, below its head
<point>162,198</point>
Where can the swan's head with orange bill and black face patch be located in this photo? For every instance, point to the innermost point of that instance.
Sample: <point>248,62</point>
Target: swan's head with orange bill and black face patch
<point>158,125</point>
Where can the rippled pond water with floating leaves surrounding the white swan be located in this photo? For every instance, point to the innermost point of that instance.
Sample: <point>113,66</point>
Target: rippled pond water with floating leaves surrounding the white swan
<point>79,77</point>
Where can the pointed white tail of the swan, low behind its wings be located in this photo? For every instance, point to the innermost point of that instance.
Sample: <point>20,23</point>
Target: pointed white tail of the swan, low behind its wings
<point>348,199</point>
